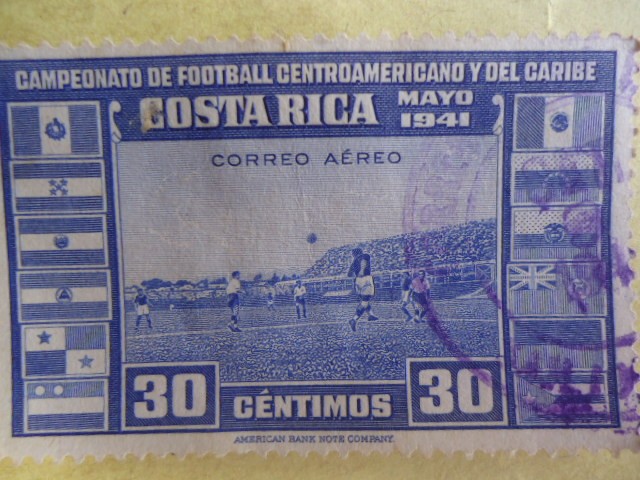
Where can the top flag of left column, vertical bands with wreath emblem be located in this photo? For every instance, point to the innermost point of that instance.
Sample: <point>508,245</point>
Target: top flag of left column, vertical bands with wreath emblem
<point>55,129</point>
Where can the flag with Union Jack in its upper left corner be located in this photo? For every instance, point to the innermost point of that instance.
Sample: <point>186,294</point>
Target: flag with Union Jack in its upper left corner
<point>563,289</point>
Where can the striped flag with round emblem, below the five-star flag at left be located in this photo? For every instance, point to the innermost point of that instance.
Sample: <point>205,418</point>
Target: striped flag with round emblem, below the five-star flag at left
<point>65,241</point>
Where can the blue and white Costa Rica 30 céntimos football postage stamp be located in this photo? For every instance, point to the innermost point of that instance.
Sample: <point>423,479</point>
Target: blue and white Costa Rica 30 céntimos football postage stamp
<point>348,245</point>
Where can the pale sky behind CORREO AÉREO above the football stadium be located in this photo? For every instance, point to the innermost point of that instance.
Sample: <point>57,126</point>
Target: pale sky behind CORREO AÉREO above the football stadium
<point>184,218</point>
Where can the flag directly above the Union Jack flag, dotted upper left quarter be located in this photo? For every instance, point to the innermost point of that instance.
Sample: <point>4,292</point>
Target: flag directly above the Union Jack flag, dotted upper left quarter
<point>560,234</point>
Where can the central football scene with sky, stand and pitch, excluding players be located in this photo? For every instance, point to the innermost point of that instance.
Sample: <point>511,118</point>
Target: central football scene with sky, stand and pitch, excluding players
<point>394,199</point>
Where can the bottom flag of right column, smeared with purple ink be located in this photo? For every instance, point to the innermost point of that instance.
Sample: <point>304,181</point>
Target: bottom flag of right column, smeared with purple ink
<point>565,397</point>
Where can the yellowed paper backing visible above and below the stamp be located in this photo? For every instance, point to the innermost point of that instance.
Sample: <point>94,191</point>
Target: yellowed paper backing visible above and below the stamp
<point>56,21</point>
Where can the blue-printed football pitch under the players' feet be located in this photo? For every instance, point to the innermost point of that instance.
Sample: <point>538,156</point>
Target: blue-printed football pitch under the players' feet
<point>275,345</point>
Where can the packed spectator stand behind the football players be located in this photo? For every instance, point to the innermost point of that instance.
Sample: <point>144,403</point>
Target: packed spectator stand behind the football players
<point>470,242</point>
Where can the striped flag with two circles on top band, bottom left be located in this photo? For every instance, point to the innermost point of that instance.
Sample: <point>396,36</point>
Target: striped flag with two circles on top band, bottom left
<point>66,406</point>
